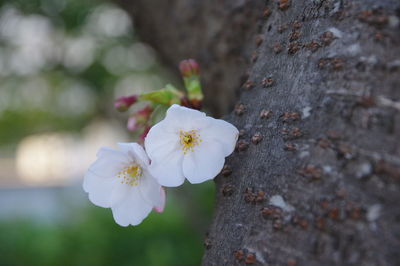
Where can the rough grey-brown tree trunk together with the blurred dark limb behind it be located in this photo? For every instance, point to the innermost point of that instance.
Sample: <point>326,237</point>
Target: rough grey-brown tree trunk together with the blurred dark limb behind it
<point>320,120</point>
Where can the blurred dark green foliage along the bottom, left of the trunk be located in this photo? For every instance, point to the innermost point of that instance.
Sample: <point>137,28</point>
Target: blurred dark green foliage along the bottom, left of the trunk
<point>93,238</point>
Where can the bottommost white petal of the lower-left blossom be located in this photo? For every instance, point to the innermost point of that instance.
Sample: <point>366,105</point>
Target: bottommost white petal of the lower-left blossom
<point>132,210</point>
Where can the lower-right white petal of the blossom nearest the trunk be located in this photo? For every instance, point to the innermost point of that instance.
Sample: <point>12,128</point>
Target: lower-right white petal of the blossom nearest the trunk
<point>204,163</point>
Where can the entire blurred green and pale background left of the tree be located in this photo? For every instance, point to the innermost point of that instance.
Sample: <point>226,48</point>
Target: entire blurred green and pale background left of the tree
<point>62,63</point>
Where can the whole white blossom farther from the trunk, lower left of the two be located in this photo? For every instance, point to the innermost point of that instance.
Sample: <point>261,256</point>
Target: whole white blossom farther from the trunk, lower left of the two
<point>121,180</point>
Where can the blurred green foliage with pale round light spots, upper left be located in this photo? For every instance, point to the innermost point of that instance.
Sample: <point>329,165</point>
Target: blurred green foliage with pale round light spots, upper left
<point>50,47</point>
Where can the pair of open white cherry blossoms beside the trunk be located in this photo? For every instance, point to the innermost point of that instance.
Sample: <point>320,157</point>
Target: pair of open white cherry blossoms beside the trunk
<point>186,144</point>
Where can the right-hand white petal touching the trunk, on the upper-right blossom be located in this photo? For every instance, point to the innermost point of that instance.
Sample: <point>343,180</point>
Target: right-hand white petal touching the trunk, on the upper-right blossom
<point>223,132</point>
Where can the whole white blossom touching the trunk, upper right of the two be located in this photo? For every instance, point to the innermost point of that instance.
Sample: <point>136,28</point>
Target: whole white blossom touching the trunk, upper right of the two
<point>187,143</point>
